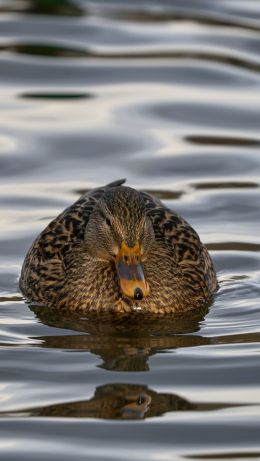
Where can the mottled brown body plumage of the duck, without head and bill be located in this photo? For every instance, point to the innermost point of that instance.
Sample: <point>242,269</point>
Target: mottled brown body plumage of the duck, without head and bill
<point>59,272</point>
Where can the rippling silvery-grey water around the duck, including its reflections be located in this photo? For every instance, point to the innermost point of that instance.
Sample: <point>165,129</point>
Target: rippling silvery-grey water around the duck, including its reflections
<point>166,94</point>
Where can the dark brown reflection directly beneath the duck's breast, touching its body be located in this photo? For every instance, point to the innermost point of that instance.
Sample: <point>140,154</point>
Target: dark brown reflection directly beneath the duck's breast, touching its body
<point>124,343</point>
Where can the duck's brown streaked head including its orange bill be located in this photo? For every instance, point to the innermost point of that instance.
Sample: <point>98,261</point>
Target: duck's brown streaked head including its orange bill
<point>119,231</point>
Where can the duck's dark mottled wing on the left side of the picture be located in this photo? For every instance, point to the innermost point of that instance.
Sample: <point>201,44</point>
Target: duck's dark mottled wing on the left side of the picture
<point>44,265</point>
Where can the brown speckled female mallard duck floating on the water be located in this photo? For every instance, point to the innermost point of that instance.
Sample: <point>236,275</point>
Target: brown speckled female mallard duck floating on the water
<point>118,249</point>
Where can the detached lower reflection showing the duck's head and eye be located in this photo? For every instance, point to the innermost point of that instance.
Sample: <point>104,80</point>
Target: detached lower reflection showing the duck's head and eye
<point>119,401</point>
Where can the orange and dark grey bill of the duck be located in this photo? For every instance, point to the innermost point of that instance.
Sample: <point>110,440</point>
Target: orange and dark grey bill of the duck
<point>131,273</point>
